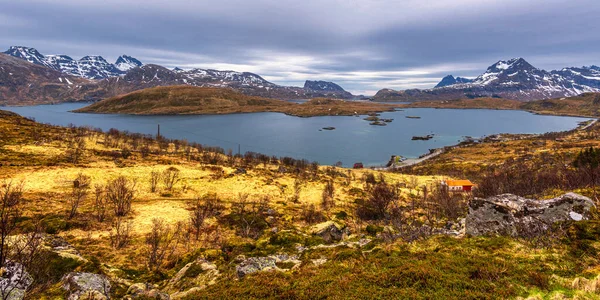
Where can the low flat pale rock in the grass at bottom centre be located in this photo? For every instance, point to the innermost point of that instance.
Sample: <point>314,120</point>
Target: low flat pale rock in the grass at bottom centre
<point>268,263</point>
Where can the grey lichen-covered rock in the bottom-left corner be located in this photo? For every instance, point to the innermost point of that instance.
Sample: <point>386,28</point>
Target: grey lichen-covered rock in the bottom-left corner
<point>14,281</point>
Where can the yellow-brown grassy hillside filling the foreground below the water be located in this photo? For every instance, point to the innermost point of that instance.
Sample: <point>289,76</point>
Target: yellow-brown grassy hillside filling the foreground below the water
<point>269,205</point>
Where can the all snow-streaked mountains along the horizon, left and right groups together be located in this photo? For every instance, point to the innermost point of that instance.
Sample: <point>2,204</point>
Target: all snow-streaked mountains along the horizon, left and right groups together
<point>60,78</point>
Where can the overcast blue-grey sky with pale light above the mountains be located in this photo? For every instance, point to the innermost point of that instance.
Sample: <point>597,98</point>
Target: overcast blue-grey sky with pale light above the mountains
<point>362,45</point>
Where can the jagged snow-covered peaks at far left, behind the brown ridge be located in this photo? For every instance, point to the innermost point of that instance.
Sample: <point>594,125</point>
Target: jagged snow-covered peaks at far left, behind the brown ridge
<point>90,67</point>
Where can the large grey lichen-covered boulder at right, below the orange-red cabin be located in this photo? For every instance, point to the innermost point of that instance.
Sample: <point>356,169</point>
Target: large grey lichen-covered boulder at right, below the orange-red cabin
<point>512,215</point>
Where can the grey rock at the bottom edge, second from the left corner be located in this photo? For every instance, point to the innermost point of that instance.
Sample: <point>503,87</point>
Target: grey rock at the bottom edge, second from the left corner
<point>86,286</point>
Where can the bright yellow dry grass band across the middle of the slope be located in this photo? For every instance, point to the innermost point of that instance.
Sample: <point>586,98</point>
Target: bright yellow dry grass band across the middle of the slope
<point>195,182</point>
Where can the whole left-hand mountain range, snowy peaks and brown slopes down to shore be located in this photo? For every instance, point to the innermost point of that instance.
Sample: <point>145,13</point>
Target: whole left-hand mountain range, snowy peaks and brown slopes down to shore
<point>93,78</point>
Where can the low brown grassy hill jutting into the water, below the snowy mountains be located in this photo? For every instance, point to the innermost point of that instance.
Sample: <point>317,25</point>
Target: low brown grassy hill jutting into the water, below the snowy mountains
<point>199,100</point>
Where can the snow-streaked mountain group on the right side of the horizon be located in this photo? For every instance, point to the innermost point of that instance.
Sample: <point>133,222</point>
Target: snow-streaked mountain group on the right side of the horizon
<point>512,79</point>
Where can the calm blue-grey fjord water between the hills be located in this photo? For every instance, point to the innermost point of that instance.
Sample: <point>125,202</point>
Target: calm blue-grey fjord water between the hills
<point>353,140</point>
